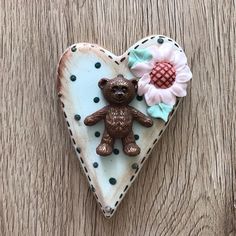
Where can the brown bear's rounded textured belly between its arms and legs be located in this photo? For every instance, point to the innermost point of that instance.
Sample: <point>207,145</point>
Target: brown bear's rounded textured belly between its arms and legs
<point>118,122</point>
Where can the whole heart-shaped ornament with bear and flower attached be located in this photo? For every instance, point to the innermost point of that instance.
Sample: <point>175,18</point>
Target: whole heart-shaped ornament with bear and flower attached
<point>117,107</point>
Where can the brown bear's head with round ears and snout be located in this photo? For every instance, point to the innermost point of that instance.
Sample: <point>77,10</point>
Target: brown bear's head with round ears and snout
<point>118,90</point>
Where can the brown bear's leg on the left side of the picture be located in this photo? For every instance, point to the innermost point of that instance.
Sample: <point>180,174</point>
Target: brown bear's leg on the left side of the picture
<point>106,146</point>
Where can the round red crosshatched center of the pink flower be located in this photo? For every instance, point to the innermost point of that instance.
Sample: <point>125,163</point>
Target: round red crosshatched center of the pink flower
<point>163,75</point>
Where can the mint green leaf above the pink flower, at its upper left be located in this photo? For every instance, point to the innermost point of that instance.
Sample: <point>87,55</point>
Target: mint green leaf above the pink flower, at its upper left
<point>138,55</point>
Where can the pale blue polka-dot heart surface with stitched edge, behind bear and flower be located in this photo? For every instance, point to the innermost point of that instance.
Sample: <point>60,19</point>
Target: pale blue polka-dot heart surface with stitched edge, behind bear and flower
<point>80,68</point>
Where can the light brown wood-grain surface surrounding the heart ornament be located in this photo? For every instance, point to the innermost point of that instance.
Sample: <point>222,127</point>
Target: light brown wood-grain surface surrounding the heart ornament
<point>188,185</point>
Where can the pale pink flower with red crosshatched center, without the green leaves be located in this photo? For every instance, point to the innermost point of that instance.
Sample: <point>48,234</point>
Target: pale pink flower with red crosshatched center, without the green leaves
<point>164,77</point>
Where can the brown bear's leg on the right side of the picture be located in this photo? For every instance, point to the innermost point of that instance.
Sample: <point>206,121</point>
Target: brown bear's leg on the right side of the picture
<point>129,146</point>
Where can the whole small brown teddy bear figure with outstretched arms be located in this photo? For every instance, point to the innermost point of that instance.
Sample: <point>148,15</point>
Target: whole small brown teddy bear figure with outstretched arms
<point>118,116</point>
